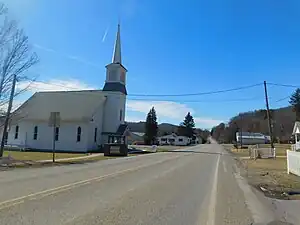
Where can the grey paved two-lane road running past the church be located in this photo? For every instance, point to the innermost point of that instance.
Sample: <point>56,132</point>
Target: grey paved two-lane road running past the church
<point>196,186</point>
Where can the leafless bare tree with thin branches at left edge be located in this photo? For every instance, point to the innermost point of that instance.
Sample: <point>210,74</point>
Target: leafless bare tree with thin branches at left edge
<point>16,56</point>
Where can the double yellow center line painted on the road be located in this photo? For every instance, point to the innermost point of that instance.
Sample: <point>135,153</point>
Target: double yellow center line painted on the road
<point>47,192</point>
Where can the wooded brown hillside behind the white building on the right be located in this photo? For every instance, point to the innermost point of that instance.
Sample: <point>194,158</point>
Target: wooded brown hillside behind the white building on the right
<point>283,120</point>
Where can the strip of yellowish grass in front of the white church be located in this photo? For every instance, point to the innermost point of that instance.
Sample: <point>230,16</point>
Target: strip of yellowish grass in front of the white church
<point>37,156</point>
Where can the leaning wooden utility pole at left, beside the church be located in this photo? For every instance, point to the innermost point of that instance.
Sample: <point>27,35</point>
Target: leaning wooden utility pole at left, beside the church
<point>11,98</point>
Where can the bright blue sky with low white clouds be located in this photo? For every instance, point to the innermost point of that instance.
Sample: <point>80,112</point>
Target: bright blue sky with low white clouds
<point>169,48</point>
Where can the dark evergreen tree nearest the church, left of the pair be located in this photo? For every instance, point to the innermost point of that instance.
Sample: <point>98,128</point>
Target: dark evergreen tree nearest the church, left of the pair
<point>151,127</point>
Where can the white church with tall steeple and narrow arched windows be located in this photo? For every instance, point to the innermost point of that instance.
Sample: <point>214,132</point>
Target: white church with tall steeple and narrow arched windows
<point>85,118</point>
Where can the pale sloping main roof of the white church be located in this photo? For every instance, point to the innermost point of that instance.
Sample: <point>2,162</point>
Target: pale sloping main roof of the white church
<point>72,105</point>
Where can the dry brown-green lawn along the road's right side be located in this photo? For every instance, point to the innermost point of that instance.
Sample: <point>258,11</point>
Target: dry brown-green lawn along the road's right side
<point>269,174</point>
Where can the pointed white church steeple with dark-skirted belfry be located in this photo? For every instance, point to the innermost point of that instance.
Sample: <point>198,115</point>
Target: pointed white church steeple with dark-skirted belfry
<point>115,71</point>
